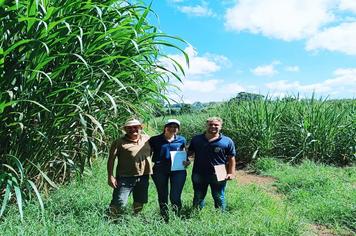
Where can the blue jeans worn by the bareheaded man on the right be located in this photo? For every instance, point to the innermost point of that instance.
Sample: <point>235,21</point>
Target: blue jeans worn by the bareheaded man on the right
<point>200,186</point>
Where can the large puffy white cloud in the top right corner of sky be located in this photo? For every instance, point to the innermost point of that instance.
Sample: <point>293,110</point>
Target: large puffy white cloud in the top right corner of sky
<point>322,23</point>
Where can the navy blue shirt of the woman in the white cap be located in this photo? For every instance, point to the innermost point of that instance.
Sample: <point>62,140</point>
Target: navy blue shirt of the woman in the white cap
<point>161,149</point>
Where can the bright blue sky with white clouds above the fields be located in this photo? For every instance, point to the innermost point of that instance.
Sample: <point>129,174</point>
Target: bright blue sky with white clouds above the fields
<point>275,48</point>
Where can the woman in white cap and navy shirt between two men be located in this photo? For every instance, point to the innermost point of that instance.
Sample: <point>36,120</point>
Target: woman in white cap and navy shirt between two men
<point>168,182</point>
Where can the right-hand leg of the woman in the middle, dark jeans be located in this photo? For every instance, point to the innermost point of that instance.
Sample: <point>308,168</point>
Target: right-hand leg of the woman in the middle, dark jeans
<point>177,180</point>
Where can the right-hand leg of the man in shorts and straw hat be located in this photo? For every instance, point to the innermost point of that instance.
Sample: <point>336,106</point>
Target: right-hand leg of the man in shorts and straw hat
<point>140,193</point>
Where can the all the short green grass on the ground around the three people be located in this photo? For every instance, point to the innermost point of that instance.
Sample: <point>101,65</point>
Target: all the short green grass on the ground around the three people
<point>313,194</point>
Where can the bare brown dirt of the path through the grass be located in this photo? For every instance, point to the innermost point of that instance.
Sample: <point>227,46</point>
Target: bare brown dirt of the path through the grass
<point>245,177</point>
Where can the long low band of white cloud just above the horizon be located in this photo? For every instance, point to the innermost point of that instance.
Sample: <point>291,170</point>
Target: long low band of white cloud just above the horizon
<point>341,84</point>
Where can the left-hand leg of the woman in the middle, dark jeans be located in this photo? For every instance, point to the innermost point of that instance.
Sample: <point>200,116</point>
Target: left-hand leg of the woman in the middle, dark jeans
<point>160,180</point>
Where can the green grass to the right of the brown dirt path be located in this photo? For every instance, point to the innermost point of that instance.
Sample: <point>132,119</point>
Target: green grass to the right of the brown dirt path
<point>321,194</point>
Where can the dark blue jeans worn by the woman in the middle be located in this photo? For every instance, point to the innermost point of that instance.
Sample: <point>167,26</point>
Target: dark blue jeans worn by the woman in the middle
<point>176,180</point>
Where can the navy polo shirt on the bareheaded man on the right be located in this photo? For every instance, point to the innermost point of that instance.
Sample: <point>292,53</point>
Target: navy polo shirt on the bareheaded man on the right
<point>208,154</point>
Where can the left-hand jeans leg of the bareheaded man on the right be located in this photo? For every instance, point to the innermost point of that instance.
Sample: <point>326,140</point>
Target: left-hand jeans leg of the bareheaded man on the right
<point>200,188</point>
